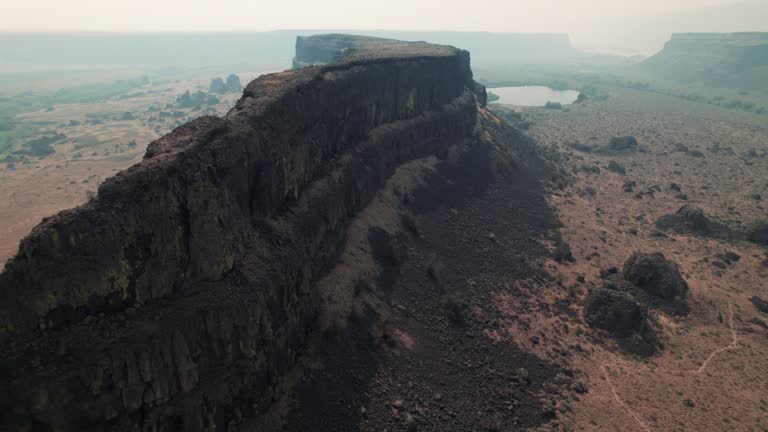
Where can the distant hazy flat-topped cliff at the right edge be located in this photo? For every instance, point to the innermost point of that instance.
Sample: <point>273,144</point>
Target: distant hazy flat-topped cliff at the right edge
<point>737,60</point>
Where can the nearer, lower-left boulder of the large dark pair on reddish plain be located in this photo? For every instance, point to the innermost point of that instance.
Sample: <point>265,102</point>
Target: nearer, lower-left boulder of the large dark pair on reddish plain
<point>614,311</point>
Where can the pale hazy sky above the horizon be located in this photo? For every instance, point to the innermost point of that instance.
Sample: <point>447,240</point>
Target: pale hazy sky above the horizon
<point>603,25</point>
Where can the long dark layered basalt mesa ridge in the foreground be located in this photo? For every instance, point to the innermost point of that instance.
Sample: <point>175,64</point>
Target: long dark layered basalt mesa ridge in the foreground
<point>179,297</point>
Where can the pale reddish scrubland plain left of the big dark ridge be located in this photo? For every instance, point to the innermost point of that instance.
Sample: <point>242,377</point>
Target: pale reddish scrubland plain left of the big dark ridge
<point>101,139</point>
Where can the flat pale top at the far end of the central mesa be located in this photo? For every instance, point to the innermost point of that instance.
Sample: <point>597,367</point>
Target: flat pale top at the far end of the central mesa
<point>354,48</point>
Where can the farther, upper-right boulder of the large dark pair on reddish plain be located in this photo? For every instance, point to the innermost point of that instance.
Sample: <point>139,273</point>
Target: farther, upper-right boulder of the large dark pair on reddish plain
<point>656,275</point>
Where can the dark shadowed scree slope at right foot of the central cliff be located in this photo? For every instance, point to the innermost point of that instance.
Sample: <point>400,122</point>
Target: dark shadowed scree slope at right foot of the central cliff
<point>420,356</point>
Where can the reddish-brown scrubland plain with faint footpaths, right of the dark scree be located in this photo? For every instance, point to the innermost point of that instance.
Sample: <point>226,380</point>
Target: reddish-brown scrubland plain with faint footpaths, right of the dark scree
<point>711,373</point>
